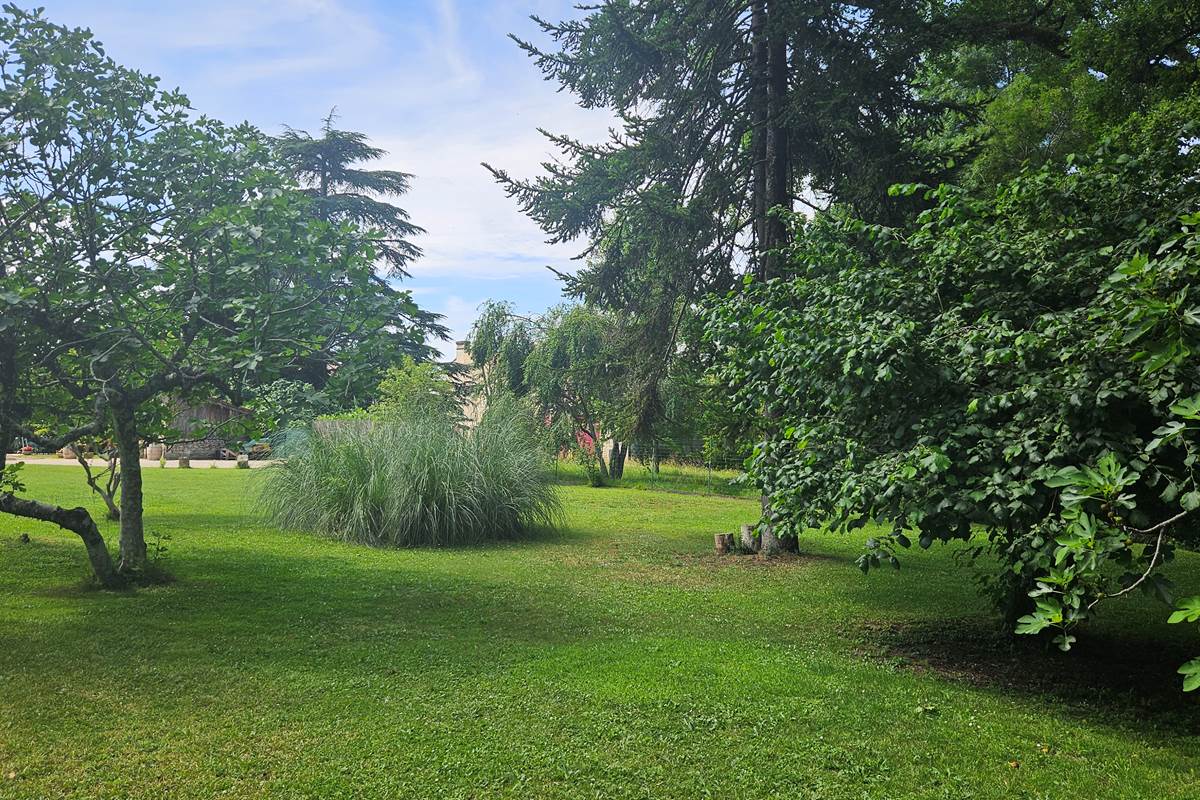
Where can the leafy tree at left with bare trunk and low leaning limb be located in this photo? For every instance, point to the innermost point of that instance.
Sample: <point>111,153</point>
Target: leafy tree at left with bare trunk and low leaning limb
<point>149,256</point>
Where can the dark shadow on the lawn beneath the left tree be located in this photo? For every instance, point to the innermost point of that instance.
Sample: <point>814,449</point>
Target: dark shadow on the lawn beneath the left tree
<point>293,610</point>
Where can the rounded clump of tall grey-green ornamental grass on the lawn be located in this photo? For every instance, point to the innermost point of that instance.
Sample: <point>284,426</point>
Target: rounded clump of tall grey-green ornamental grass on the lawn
<point>416,482</point>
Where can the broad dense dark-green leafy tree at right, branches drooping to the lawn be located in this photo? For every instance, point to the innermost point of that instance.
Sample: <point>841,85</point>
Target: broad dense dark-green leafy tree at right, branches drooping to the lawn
<point>1019,365</point>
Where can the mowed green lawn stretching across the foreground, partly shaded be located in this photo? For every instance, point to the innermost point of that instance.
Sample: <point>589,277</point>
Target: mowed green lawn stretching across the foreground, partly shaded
<point>616,659</point>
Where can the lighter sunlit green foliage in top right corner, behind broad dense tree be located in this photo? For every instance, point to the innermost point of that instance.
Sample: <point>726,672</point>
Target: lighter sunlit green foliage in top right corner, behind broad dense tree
<point>1012,105</point>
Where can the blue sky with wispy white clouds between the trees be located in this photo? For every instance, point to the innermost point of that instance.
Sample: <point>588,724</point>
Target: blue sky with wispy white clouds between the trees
<point>435,82</point>
